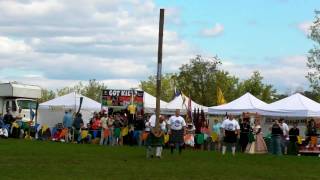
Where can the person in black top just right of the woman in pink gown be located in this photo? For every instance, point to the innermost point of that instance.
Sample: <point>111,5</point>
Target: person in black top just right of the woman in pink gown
<point>276,135</point>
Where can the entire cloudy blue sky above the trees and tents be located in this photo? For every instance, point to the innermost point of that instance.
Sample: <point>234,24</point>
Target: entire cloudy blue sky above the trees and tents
<point>56,43</point>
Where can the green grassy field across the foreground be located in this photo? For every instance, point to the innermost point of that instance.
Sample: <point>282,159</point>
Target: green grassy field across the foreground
<point>21,159</point>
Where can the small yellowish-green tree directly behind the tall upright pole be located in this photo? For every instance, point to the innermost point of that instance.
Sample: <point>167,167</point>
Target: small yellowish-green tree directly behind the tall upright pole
<point>167,86</point>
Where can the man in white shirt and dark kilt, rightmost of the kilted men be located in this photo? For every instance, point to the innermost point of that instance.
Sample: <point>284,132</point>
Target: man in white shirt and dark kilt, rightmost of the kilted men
<point>231,129</point>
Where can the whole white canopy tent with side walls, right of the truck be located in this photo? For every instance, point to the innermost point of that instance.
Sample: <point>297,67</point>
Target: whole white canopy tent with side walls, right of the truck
<point>52,112</point>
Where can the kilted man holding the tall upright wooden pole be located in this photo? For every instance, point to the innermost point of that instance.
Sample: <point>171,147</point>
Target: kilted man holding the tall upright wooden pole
<point>155,138</point>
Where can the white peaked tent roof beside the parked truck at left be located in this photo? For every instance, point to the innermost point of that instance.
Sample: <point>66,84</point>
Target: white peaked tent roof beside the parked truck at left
<point>72,100</point>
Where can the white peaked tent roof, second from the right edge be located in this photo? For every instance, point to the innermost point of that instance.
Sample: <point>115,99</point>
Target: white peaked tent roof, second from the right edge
<point>245,103</point>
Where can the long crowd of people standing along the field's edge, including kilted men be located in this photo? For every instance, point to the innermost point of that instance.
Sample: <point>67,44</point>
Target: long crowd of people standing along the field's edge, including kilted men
<point>174,132</point>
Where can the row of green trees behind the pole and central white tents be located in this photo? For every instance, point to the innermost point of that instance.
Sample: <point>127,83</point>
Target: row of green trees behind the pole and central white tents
<point>201,78</point>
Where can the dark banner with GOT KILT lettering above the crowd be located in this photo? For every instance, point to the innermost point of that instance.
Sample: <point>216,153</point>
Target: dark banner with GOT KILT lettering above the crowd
<point>122,98</point>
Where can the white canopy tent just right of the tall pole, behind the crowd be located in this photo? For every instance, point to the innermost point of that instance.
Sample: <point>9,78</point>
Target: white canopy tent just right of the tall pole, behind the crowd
<point>181,102</point>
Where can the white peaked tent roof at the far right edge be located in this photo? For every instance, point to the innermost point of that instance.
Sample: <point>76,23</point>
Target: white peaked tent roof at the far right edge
<point>297,105</point>
